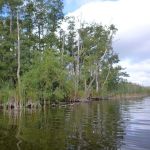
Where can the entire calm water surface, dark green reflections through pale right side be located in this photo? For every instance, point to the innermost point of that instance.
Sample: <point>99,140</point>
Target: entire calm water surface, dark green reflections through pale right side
<point>106,125</point>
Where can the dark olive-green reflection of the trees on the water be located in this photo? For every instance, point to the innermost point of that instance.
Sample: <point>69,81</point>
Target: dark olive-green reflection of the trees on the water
<point>85,126</point>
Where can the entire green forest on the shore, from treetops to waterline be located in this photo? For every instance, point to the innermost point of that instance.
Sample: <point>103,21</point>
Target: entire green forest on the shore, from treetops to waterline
<point>42,62</point>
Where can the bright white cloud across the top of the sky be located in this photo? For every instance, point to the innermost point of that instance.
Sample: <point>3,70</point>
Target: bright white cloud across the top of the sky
<point>126,14</point>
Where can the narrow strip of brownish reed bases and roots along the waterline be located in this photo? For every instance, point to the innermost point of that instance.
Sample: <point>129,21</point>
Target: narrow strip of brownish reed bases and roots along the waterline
<point>48,104</point>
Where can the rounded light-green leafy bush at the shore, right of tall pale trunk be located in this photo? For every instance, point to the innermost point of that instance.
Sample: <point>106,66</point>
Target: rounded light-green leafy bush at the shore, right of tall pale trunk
<point>46,79</point>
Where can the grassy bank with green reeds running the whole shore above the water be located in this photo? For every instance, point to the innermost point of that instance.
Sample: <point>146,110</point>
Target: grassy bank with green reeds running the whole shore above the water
<point>125,90</point>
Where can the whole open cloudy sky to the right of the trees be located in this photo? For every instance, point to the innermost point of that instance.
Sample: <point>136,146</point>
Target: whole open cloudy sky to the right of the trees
<point>132,42</point>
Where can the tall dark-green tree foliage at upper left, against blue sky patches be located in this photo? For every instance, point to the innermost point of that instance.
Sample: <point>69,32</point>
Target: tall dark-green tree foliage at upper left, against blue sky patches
<point>36,15</point>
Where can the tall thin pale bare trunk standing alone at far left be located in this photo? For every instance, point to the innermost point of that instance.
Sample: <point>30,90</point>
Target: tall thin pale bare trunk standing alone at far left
<point>18,60</point>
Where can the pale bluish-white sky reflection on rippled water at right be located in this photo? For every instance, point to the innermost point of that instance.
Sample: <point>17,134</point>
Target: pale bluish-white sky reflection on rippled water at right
<point>138,126</point>
